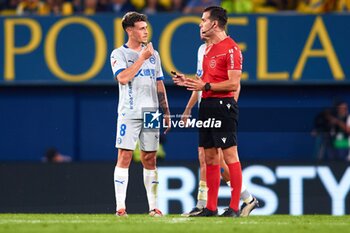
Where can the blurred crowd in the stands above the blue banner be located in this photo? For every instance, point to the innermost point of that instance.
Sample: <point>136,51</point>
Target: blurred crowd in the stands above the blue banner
<point>149,7</point>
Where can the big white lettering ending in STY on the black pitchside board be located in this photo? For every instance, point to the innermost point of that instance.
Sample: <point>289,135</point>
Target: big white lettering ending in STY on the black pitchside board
<point>294,190</point>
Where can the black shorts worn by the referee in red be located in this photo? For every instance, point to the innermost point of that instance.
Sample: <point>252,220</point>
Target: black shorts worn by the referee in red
<point>220,109</point>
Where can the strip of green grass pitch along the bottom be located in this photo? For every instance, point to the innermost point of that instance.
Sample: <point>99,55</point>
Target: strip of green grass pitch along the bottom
<point>84,223</point>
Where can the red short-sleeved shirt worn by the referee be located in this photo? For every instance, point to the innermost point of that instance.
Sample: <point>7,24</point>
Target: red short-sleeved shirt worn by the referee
<point>218,59</point>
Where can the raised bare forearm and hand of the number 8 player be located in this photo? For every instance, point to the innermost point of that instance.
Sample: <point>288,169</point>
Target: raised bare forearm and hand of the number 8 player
<point>129,73</point>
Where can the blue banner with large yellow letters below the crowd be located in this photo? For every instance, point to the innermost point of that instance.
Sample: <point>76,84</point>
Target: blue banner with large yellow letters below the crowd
<point>49,49</point>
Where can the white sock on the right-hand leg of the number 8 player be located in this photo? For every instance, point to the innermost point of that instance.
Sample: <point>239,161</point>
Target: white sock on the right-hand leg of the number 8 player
<point>150,179</point>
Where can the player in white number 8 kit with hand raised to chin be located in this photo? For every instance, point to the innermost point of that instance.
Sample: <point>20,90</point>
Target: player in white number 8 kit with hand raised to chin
<point>137,69</point>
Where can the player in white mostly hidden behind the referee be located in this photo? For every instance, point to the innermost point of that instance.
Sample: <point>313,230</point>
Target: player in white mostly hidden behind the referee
<point>249,202</point>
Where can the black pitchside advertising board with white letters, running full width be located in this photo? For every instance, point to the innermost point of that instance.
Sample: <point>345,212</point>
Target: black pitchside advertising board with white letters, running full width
<point>286,188</point>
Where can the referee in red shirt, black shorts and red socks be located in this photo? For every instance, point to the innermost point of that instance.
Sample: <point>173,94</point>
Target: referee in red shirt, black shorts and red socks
<point>222,69</point>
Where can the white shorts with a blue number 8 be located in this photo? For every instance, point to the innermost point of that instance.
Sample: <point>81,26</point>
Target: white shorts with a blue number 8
<point>130,130</point>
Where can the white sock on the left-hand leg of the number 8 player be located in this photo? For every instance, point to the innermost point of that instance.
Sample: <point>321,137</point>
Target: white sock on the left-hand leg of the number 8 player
<point>121,178</point>
